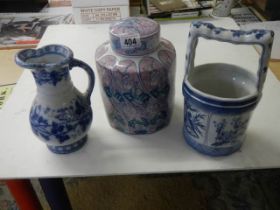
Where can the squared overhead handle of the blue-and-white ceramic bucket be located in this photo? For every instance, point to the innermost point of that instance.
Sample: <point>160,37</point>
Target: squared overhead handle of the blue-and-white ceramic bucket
<point>264,38</point>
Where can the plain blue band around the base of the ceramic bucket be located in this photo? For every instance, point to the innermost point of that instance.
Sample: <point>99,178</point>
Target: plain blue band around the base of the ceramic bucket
<point>211,151</point>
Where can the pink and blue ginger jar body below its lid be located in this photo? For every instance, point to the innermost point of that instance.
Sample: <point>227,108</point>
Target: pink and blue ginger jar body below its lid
<point>137,91</point>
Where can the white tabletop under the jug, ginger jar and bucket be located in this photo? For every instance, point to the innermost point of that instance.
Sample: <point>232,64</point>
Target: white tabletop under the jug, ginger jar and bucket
<point>110,152</point>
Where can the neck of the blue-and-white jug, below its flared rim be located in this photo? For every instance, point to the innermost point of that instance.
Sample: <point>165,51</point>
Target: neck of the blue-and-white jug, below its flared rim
<point>53,81</point>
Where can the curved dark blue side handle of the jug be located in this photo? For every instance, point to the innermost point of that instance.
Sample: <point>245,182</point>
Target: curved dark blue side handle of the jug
<point>78,63</point>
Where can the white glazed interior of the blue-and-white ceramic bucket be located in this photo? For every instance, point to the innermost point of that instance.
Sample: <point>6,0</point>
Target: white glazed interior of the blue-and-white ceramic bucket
<point>223,81</point>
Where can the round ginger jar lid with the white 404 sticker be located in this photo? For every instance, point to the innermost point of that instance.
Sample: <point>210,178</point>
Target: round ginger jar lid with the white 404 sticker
<point>134,36</point>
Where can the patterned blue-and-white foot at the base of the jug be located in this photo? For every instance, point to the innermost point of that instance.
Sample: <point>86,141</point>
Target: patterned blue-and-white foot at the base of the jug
<point>66,149</point>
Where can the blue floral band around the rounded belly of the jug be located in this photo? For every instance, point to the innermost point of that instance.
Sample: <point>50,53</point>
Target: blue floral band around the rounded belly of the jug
<point>64,127</point>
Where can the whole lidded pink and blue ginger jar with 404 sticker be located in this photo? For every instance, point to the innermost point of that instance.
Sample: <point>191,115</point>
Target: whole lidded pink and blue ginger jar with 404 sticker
<point>137,81</point>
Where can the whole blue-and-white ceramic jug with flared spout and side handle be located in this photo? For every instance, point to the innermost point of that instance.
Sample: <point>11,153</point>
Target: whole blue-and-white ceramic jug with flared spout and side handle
<point>60,115</point>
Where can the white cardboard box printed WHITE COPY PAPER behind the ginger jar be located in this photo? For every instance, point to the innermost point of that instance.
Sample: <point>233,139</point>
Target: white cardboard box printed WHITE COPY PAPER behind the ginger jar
<point>98,11</point>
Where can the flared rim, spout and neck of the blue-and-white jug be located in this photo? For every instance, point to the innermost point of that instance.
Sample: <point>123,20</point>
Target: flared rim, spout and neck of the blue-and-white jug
<point>49,65</point>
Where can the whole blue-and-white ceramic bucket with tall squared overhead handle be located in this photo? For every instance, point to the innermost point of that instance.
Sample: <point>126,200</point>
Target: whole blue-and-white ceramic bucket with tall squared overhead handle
<point>220,98</point>
